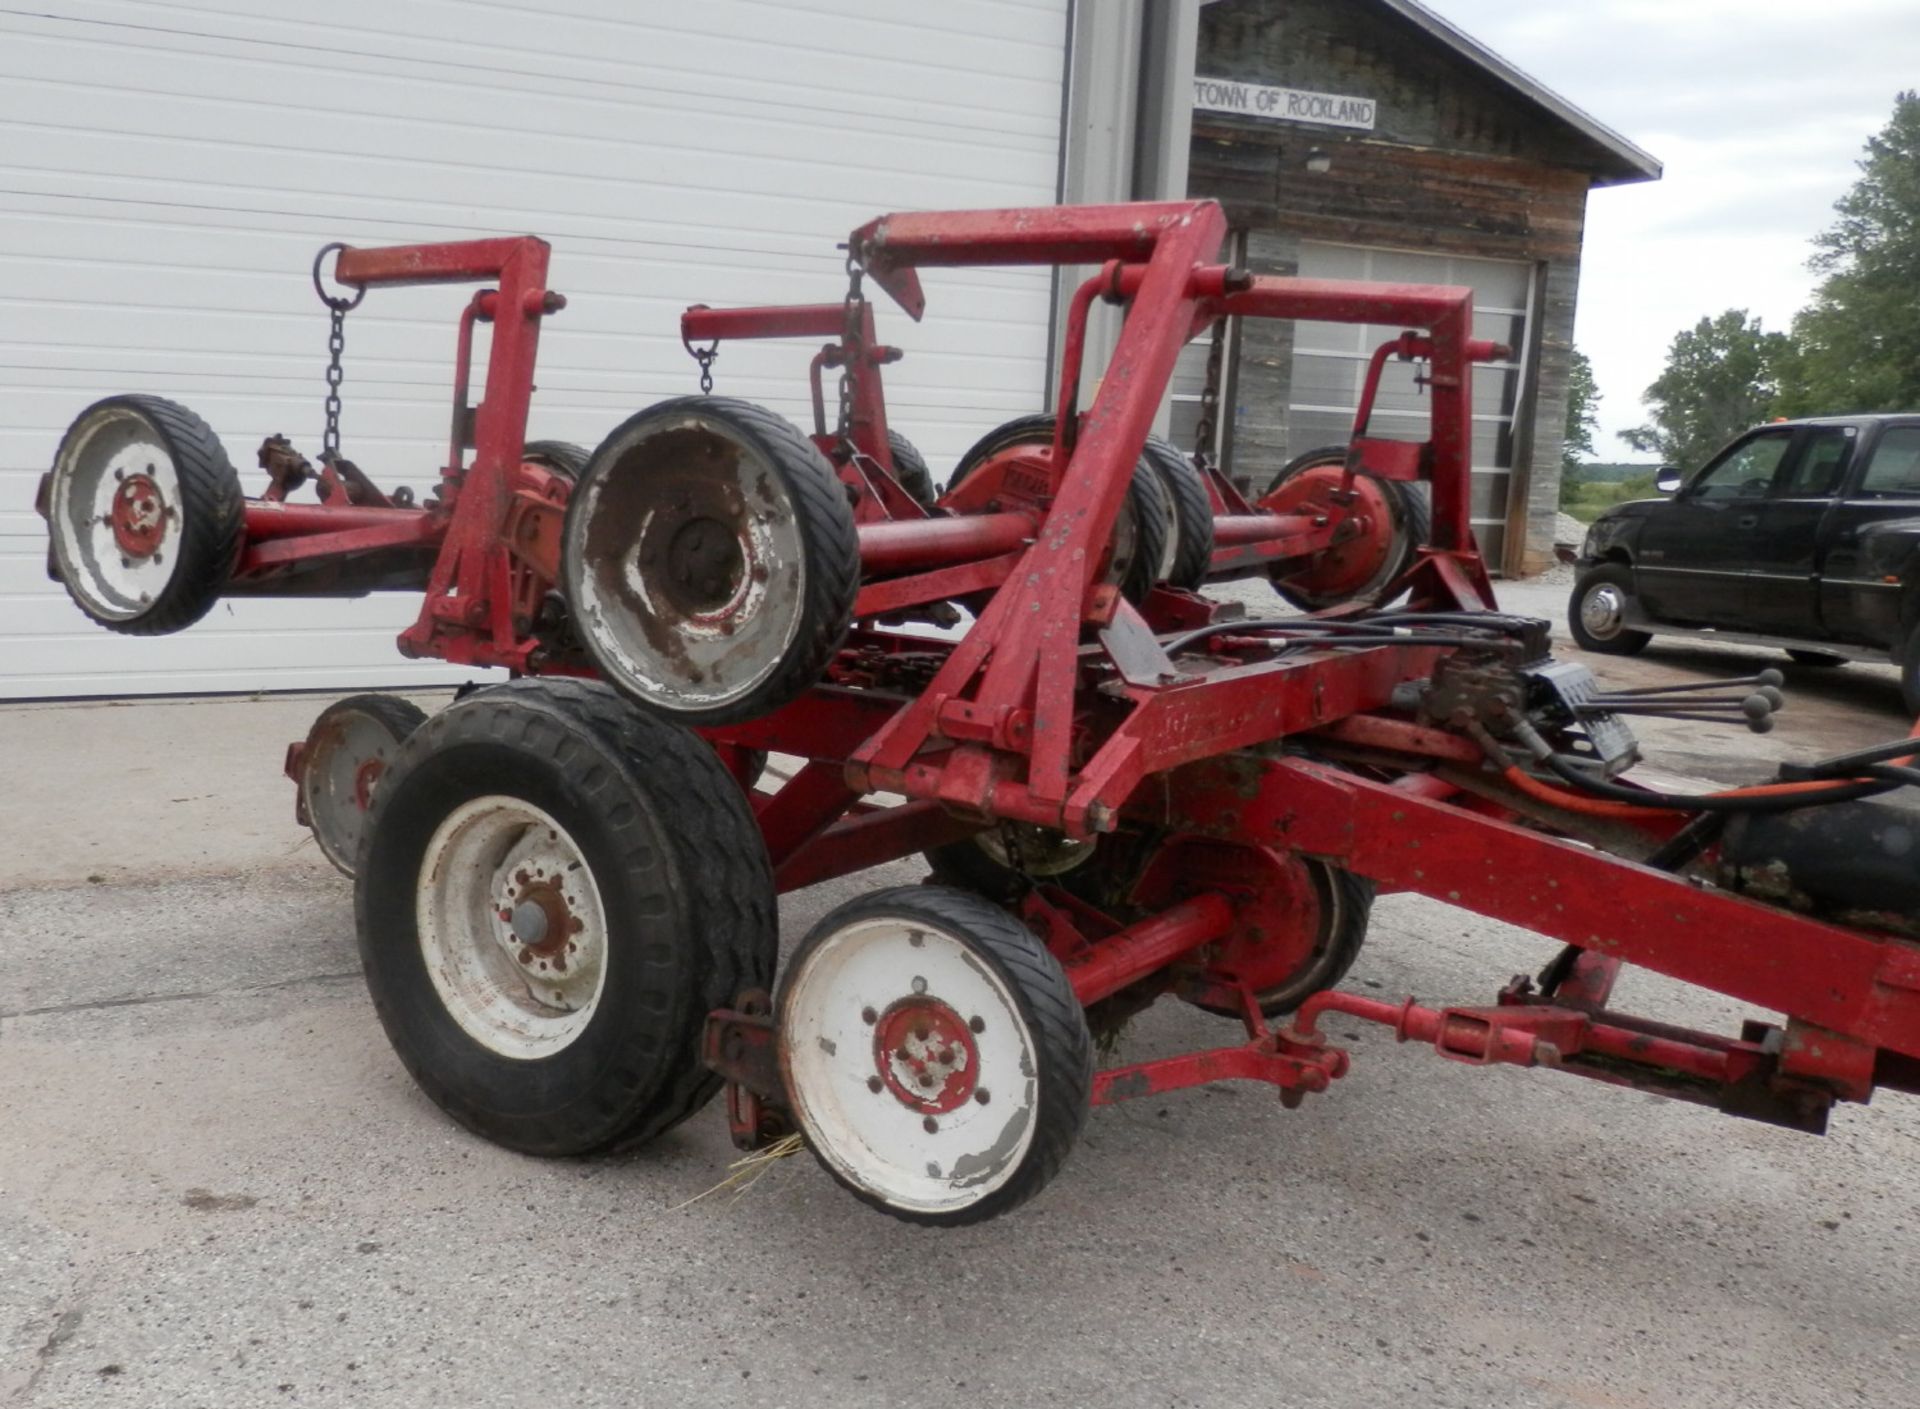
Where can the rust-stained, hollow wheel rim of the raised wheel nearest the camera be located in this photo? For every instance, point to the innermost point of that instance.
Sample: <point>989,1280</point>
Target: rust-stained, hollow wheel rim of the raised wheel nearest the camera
<point>692,575</point>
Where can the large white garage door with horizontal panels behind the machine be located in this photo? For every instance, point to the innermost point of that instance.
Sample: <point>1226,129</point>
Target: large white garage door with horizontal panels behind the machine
<point>170,172</point>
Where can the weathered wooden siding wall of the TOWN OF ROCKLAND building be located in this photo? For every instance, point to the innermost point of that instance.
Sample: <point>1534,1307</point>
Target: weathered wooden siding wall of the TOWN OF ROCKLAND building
<point>1454,166</point>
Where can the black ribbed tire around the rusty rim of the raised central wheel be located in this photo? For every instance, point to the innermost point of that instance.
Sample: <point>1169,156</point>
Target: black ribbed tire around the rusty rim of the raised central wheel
<point>828,535</point>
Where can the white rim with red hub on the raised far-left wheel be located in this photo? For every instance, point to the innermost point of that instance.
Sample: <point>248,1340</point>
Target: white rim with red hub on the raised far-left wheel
<point>114,462</point>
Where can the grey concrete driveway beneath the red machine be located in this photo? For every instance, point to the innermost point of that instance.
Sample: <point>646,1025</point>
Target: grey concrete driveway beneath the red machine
<point>218,1185</point>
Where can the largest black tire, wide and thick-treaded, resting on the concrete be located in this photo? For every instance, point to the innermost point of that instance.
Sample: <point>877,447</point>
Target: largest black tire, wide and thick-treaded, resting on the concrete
<point>684,882</point>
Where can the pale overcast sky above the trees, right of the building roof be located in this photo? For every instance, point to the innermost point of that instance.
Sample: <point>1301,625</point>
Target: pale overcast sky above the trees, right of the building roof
<point>1760,108</point>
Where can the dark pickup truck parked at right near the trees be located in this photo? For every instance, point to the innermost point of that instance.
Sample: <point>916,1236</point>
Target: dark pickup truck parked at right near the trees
<point>1804,535</point>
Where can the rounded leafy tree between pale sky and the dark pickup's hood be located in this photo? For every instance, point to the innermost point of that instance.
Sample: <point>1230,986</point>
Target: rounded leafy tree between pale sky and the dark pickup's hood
<point>1721,377</point>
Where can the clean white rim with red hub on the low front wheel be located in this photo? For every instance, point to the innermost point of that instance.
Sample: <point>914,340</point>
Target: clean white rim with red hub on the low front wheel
<point>855,988</point>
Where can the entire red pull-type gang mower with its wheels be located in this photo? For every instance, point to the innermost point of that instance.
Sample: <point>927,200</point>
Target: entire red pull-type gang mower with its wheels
<point>1126,790</point>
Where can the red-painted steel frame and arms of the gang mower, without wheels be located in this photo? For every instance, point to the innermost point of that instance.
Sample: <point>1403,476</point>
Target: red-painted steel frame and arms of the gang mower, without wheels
<point>1061,709</point>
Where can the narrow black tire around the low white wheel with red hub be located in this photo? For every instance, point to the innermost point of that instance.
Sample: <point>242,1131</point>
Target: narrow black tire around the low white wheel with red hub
<point>1047,1005</point>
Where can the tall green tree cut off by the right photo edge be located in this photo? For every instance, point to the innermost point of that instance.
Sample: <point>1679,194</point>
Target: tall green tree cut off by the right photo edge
<point>1860,341</point>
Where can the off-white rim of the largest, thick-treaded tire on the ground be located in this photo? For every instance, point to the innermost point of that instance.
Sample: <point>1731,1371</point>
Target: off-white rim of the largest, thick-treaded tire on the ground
<point>512,928</point>
